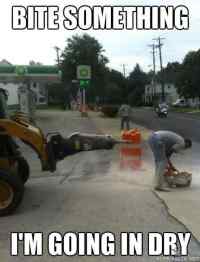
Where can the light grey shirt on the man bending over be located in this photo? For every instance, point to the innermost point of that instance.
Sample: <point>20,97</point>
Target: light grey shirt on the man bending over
<point>172,141</point>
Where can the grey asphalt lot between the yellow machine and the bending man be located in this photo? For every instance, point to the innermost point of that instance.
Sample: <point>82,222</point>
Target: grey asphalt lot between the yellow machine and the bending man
<point>96,196</point>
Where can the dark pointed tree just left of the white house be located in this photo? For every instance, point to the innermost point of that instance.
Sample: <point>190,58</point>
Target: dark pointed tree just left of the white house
<point>136,86</point>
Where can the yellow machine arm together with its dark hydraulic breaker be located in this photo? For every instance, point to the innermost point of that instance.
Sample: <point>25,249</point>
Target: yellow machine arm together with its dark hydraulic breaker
<point>54,147</point>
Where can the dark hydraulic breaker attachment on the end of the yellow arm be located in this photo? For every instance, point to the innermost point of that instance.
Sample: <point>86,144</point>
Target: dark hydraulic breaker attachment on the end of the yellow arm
<point>58,147</point>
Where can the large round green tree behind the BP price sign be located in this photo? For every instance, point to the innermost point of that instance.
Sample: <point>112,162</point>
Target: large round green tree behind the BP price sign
<point>85,50</point>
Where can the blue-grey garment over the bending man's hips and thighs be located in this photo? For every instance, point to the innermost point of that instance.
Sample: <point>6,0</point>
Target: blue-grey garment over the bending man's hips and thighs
<point>158,148</point>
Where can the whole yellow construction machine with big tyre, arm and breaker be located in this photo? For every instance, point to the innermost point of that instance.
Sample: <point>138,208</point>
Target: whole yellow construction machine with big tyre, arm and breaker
<point>14,169</point>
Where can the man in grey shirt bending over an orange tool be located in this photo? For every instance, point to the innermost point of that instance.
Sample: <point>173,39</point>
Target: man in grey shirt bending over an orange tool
<point>163,144</point>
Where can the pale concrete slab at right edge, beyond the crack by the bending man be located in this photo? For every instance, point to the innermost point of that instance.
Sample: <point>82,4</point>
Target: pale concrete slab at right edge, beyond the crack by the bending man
<point>183,203</point>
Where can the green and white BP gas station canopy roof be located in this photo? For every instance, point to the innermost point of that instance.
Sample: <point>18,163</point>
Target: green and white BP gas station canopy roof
<point>18,73</point>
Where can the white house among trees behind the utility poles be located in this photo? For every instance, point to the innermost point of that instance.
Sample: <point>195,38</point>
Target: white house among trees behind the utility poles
<point>153,93</point>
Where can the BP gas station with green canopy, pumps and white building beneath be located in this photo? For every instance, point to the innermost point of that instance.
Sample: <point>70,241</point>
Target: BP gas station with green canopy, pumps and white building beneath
<point>26,85</point>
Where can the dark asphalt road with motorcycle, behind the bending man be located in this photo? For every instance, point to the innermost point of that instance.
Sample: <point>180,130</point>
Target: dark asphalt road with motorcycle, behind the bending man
<point>183,123</point>
